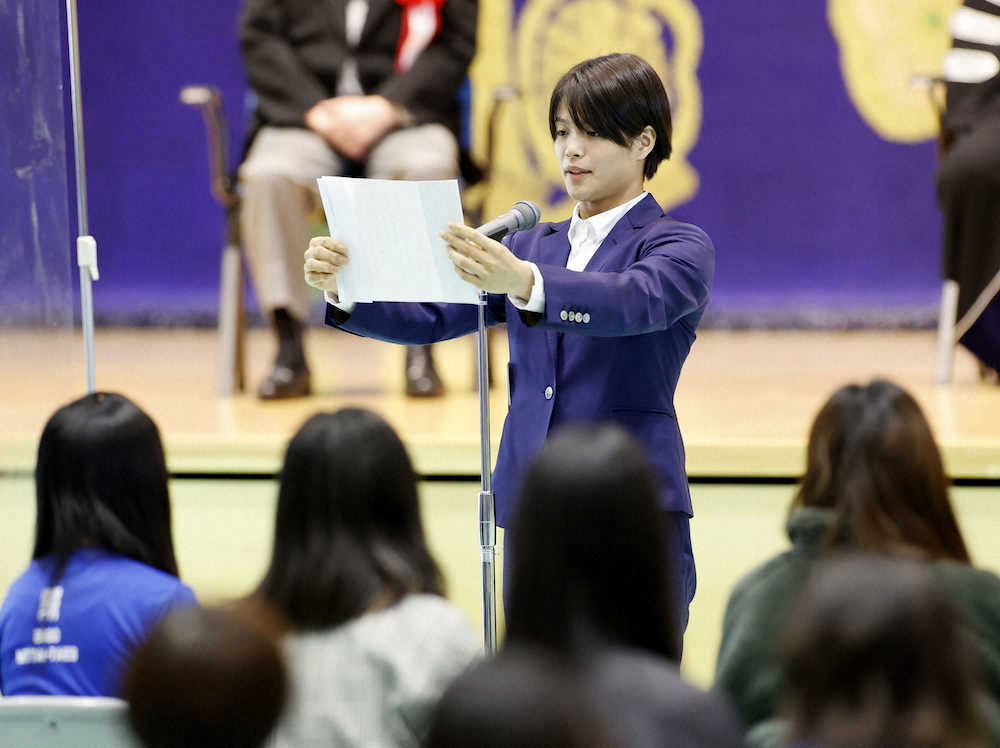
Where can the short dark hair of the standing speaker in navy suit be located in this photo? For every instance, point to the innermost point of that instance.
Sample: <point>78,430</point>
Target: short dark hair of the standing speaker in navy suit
<point>617,96</point>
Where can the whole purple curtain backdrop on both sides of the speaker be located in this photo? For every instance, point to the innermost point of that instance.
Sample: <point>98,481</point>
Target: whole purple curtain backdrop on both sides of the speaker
<point>817,220</point>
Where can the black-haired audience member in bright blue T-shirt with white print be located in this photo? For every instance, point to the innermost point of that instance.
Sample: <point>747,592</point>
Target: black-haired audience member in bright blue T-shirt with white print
<point>103,570</point>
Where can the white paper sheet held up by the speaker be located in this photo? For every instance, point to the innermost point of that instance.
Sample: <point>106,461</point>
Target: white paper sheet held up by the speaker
<point>391,230</point>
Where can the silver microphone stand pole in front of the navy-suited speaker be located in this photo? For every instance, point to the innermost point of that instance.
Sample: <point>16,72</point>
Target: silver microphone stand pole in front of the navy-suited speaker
<point>487,518</point>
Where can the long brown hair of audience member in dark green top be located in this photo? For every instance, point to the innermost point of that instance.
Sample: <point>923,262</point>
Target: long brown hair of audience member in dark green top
<point>873,461</point>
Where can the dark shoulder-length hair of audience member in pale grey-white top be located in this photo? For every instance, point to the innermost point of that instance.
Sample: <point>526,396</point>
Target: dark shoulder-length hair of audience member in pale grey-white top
<point>347,532</point>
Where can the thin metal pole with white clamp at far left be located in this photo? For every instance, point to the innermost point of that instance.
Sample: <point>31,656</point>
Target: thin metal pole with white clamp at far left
<point>86,245</point>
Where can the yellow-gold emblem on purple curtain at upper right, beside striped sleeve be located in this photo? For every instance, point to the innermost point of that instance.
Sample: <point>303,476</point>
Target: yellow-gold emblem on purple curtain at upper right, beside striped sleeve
<point>883,44</point>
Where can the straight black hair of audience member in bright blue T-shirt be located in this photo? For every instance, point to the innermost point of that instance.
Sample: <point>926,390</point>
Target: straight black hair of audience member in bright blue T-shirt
<point>101,482</point>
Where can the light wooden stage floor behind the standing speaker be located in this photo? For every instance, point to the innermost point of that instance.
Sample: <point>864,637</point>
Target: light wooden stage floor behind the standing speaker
<point>745,400</point>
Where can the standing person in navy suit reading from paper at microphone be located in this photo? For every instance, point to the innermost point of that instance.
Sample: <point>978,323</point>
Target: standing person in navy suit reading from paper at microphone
<point>601,310</point>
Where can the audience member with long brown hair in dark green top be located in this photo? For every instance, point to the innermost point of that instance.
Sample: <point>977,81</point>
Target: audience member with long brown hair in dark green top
<point>874,481</point>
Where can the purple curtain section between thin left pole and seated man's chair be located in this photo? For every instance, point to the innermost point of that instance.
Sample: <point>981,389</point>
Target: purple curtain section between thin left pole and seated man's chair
<point>158,229</point>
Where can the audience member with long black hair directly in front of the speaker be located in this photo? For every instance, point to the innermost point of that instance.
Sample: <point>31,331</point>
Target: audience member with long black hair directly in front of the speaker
<point>591,588</point>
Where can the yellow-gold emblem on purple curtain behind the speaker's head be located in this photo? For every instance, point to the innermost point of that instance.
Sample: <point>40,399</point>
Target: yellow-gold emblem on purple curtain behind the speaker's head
<point>550,37</point>
